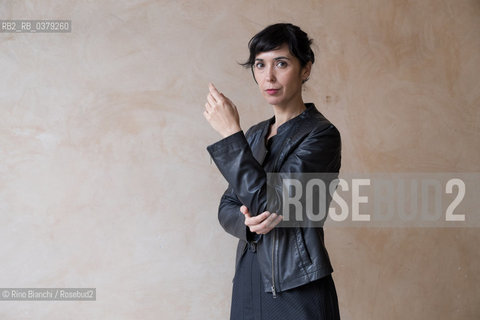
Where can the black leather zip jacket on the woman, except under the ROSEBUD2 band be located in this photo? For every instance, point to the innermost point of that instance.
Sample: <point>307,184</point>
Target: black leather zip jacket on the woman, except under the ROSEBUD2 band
<point>288,257</point>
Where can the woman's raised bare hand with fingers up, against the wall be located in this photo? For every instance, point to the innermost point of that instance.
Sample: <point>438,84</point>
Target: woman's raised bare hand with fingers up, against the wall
<point>221,113</point>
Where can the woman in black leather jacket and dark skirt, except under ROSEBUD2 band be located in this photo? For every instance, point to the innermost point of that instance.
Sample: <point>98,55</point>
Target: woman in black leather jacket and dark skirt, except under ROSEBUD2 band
<point>281,273</point>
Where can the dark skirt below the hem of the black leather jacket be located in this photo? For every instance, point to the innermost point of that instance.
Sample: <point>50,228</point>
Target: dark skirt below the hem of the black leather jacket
<point>312,301</point>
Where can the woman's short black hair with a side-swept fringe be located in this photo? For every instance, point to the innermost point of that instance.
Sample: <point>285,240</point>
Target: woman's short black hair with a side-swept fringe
<point>276,35</point>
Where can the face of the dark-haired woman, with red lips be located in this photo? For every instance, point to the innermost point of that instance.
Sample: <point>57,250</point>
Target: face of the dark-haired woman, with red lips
<point>279,76</point>
